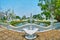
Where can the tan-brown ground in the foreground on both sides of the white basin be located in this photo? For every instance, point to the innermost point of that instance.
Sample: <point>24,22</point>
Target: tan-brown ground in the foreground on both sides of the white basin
<point>12,35</point>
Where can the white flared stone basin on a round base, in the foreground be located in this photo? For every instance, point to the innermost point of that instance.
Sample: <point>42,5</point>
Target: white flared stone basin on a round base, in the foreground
<point>30,33</point>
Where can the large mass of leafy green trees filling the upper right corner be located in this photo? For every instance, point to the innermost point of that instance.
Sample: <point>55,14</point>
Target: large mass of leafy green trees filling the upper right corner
<point>51,6</point>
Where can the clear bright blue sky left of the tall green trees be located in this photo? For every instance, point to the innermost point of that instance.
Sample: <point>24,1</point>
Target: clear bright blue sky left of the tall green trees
<point>21,7</point>
